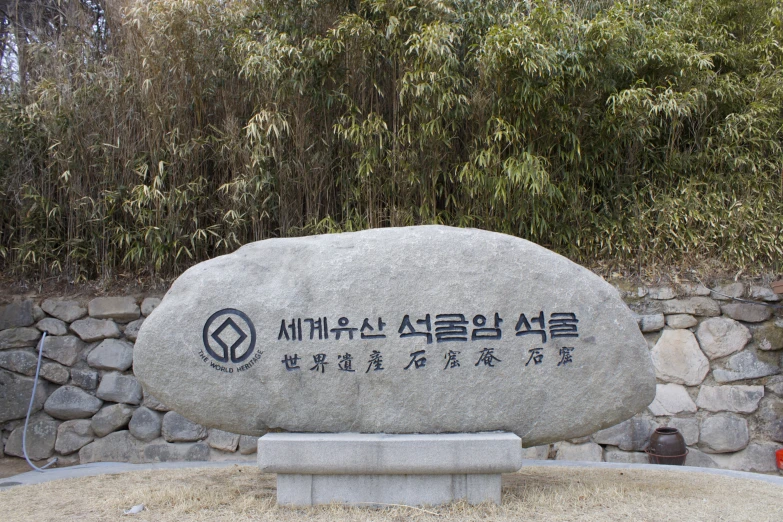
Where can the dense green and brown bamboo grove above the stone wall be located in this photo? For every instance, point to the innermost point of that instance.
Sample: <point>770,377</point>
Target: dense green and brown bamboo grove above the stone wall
<point>146,136</point>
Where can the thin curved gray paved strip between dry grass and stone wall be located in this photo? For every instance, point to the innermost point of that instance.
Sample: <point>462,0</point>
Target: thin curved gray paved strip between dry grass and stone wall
<point>111,468</point>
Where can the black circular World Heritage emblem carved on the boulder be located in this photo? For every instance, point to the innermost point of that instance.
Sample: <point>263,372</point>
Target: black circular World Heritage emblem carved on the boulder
<point>229,335</point>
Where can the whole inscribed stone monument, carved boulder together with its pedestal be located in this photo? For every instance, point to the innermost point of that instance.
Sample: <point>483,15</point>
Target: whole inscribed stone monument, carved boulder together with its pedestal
<point>389,355</point>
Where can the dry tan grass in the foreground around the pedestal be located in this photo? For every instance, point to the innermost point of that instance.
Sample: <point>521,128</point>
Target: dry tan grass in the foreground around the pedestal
<point>537,493</point>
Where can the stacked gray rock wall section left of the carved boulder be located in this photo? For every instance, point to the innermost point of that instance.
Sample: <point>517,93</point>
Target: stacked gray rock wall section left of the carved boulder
<point>88,405</point>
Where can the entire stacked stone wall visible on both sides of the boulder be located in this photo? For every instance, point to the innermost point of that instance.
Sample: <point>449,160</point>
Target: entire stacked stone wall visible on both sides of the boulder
<point>717,360</point>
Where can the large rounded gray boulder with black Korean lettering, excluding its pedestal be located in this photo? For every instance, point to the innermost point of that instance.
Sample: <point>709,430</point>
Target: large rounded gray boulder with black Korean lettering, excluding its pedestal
<point>610,367</point>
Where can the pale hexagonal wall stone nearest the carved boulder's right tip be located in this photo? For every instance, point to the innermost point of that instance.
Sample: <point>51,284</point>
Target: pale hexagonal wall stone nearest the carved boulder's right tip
<point>678,359</point>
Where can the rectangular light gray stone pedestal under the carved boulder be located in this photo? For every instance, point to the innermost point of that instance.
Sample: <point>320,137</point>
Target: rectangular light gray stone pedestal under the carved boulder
<point>360,469</point>
